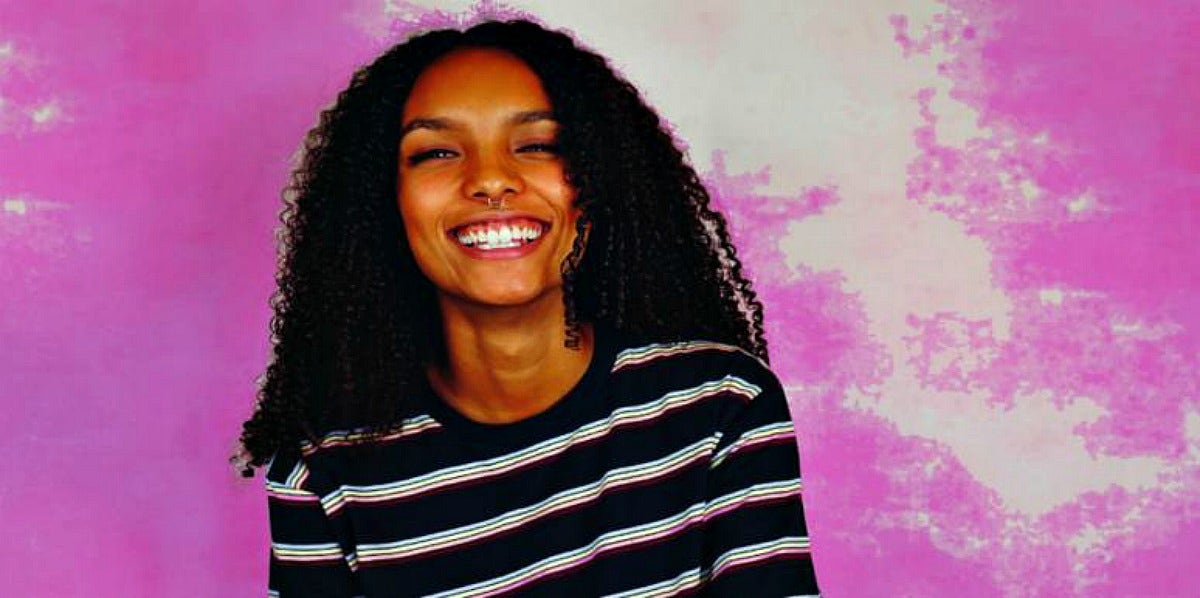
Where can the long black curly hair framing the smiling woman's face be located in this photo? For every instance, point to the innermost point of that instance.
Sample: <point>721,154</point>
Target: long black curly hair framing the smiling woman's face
<point>356,324</point>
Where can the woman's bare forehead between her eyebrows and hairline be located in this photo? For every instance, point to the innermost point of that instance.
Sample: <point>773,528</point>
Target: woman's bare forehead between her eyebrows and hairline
<point>476,81</point>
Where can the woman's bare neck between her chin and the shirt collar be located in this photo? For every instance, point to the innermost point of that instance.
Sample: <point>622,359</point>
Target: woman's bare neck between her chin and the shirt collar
<point>508,364</point>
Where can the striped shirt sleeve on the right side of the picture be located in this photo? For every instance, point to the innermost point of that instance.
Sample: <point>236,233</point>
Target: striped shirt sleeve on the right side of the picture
<point>757,542</point>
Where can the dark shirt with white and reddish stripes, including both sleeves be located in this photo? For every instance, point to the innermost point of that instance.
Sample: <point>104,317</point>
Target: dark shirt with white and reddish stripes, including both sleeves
<point>669,470</point>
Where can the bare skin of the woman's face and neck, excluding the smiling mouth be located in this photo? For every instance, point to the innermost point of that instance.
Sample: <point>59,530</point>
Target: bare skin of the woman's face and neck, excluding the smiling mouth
<point>478,124</point>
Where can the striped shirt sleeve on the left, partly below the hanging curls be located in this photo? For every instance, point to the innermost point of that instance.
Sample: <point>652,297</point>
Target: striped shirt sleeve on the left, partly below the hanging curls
<point>311,555</point>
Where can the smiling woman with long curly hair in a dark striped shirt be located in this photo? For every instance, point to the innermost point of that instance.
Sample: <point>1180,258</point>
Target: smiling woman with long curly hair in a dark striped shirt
<point>514,348</point>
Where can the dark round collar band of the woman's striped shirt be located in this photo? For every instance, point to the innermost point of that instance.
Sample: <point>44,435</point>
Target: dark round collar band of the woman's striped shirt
<point>544,424</point>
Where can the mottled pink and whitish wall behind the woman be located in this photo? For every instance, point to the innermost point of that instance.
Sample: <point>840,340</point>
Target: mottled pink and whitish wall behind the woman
<point>973,223</point>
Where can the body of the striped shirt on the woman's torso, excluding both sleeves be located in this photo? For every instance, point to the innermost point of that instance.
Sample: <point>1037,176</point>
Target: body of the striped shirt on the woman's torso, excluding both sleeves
<point>604,492</point>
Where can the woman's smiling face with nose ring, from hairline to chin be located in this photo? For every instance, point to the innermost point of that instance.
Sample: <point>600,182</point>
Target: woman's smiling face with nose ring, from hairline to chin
<point>478,130</point>
